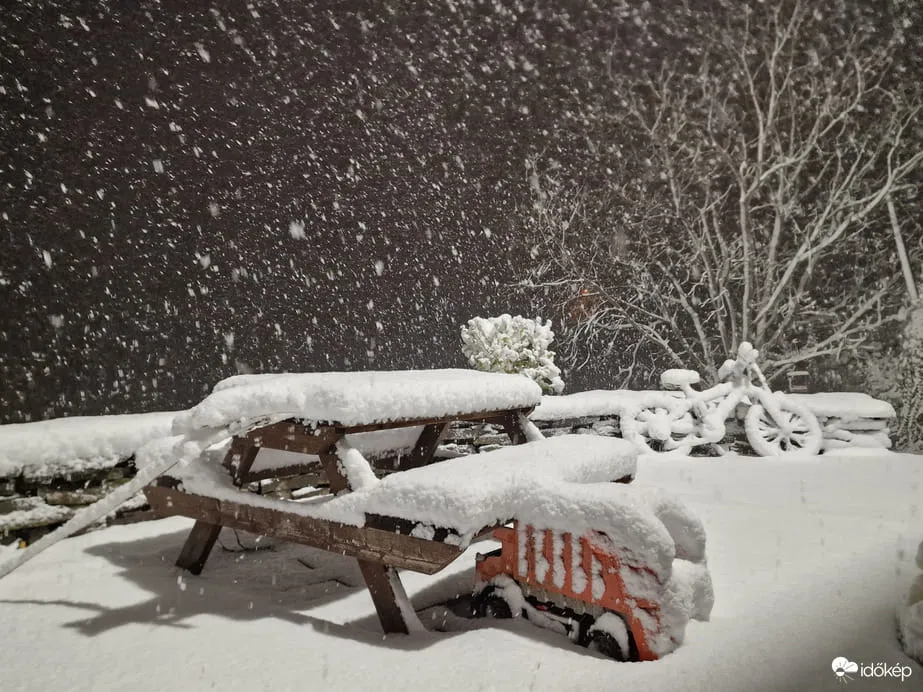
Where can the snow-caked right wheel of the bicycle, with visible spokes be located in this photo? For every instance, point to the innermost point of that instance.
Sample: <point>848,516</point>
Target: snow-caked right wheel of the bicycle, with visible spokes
<point>797,433</point>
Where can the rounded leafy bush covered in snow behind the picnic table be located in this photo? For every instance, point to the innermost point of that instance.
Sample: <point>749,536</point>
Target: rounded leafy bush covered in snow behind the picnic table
<point>513,345</point>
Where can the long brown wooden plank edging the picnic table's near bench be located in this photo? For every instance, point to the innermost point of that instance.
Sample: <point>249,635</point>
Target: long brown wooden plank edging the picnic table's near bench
<point>405,552</point>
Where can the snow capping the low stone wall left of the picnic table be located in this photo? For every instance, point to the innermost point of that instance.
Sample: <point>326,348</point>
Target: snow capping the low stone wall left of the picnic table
<point>56,447</point>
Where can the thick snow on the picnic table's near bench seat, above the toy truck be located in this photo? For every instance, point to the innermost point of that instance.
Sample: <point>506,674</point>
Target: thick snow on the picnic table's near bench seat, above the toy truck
<point>466,494</point>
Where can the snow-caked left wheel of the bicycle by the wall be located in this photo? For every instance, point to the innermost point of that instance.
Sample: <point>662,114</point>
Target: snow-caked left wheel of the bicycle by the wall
<point>664,426</point>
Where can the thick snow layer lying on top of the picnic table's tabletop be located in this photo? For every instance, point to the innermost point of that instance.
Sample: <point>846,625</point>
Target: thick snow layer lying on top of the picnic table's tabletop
<point>356,398</point>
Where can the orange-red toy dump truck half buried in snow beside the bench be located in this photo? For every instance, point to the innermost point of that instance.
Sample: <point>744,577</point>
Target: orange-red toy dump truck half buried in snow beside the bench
<point>574,585</point>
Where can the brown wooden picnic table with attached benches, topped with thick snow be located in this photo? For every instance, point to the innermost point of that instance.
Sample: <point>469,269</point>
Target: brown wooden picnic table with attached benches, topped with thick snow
<point>418,517</point>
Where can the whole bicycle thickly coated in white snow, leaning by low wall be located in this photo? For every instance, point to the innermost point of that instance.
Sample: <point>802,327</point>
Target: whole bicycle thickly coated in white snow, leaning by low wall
<point>675,422</point>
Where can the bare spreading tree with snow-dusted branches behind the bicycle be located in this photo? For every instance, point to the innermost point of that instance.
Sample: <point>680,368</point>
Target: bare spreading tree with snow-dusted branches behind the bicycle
<point>753,203</point>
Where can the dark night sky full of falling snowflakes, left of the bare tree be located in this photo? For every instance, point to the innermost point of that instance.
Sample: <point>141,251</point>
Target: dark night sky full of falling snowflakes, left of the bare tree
<point>291,185</point>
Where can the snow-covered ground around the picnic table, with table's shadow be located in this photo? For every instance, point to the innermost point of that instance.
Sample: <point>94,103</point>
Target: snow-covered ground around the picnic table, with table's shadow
<point>808,558</point>
